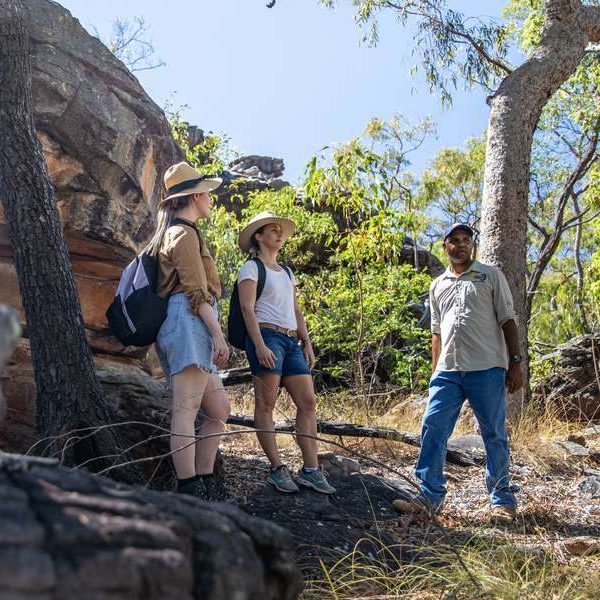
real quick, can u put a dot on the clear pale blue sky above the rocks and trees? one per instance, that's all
(286, 81)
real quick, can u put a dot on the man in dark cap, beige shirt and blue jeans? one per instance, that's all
(475, 356)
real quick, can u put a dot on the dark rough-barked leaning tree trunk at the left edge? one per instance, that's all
(68, 393)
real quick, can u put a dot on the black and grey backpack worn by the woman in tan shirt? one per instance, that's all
(137, 311)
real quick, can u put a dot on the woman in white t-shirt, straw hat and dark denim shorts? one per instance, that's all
(278, 349)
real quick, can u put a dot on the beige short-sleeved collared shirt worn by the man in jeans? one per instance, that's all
(468, 312)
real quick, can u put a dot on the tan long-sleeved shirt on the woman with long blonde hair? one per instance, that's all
(185, 265)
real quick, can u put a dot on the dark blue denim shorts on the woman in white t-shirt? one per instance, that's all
(289, 358)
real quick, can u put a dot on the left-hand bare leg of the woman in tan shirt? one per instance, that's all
(188, 389)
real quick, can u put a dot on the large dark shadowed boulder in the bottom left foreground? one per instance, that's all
(68, 534)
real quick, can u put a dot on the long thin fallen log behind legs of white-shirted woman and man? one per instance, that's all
(455, 455)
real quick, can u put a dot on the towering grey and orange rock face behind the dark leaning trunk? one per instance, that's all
(106, 144)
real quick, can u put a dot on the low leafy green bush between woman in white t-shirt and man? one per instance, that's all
(367, 318)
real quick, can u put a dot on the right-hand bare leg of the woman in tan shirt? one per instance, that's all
(215, 409)
